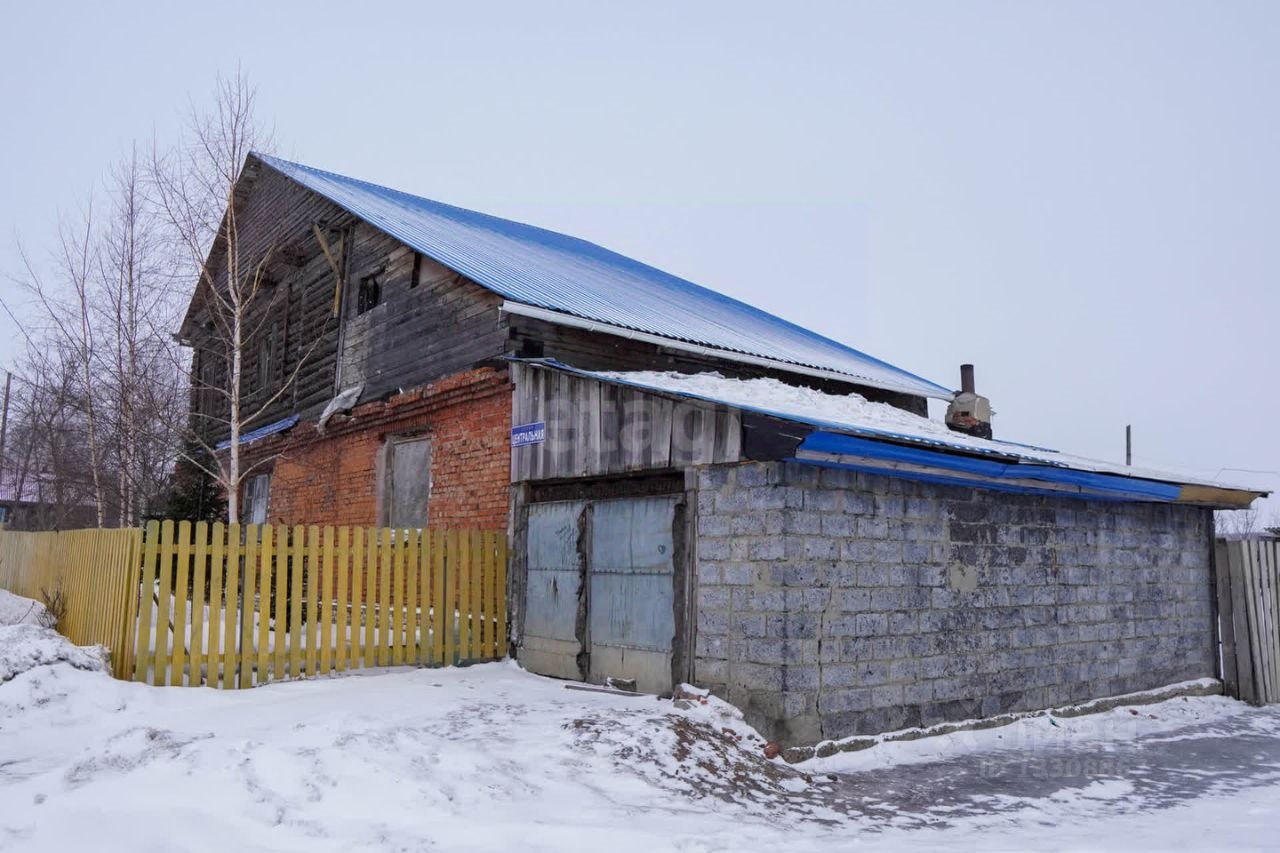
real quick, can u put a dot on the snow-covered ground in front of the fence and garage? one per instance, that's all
(493, 759)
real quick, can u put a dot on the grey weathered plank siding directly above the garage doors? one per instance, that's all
(596, 428)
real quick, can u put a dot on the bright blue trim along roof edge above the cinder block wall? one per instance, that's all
(1116, 487)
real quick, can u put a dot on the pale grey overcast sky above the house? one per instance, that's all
(1082, 199)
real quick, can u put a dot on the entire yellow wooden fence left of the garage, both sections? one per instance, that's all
(237, 606)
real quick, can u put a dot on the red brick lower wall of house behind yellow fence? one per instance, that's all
(333, 478)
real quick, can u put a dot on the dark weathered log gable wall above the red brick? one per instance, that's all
(429, 322)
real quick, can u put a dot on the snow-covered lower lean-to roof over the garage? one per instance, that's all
(856, 414)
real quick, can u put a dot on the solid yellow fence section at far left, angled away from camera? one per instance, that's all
(93, 573)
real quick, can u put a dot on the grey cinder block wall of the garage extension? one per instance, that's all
(831, 604)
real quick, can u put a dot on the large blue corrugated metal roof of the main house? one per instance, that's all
(545, 270)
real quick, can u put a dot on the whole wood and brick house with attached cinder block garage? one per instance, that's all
(697, 490)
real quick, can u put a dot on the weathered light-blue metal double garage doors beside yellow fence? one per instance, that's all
(624, 624)
